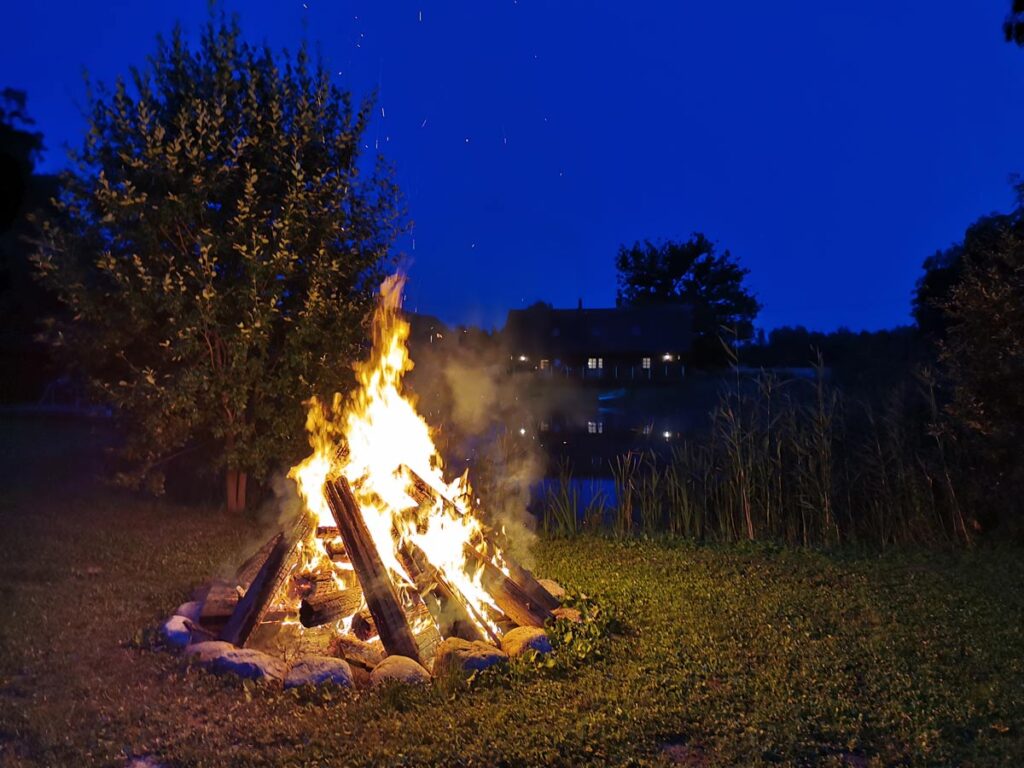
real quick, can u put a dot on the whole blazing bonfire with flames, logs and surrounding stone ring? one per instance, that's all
(388, 560)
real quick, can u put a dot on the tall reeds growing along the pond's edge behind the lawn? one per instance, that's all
(792, 461)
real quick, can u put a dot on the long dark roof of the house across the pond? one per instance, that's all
(560, 333)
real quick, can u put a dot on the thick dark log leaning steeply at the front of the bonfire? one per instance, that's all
(382, 601)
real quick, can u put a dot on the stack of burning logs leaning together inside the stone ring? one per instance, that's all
(365, 592)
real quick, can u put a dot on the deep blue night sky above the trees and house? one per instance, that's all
(831, 147)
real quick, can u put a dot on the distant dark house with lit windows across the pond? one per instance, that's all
(622, 345)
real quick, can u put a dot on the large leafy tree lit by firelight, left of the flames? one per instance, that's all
(219, 244)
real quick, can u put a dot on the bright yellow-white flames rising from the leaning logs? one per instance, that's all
(370, 441)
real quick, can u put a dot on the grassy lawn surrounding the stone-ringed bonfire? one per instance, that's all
(729, 656)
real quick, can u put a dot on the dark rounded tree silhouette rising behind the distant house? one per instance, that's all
(693, 274)
